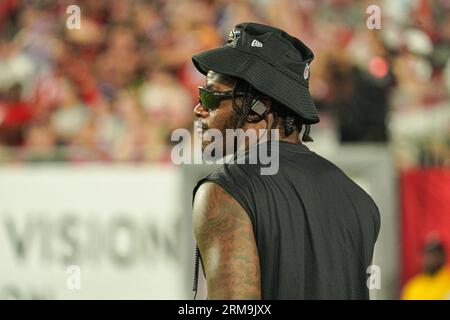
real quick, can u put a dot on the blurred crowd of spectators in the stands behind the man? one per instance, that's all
(115, 89)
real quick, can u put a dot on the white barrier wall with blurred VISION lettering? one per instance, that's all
(91, 232)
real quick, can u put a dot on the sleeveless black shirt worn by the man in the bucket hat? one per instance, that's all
(314, 227)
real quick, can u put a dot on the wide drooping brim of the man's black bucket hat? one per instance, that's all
(262, 75)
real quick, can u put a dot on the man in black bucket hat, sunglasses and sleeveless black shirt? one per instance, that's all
(306, 232)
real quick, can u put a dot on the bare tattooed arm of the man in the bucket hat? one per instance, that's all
(224, 234)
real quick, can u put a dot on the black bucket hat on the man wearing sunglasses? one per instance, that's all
(269, 59)
